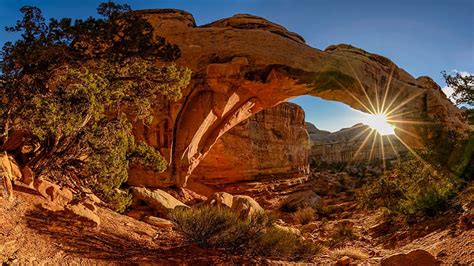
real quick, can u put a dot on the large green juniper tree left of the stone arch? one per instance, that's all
(77, 87)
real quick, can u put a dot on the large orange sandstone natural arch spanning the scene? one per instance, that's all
(244, 64)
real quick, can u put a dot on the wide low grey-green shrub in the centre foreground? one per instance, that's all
(220, 227)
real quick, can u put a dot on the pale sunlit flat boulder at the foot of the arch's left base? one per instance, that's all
(157, 199)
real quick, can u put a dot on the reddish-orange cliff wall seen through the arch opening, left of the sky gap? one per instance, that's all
(269, 147)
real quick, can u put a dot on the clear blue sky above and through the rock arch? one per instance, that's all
(424, 37)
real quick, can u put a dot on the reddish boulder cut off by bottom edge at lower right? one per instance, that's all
(416, 257)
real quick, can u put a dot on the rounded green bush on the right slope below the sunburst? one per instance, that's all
(414, 190)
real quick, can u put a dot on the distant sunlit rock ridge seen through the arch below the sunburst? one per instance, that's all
(350, 144)
